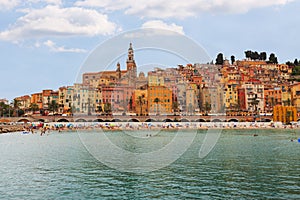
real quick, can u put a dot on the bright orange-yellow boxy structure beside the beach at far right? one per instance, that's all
(285, 114)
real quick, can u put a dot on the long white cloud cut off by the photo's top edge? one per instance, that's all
(180, 9)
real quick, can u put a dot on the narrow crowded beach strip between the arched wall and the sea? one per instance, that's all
(144, 126)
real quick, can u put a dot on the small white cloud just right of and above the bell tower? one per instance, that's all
(162, 25)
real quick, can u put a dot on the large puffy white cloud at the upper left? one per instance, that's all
(58, 22)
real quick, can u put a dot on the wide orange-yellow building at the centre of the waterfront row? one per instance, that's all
(159, 100)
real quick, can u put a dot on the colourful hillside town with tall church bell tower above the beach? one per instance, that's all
(250, 87)
